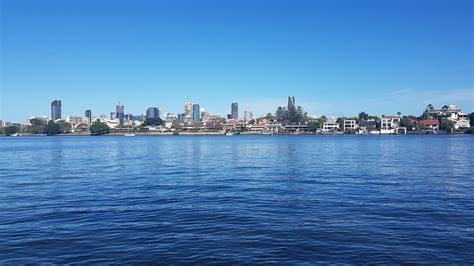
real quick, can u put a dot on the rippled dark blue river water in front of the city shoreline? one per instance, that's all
(239, 199)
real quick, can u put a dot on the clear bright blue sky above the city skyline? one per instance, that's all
(336, 57)
